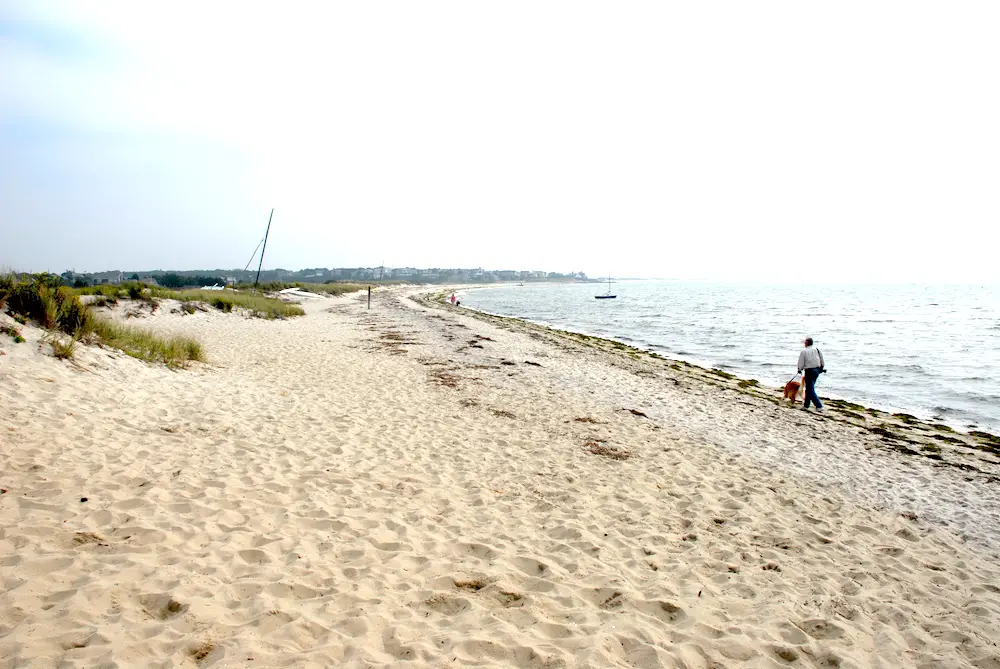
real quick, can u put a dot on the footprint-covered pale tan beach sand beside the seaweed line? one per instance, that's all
(415, 486)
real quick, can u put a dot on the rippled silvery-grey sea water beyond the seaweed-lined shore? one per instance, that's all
(929, 350)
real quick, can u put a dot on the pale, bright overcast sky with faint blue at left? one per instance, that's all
(753, 141)
